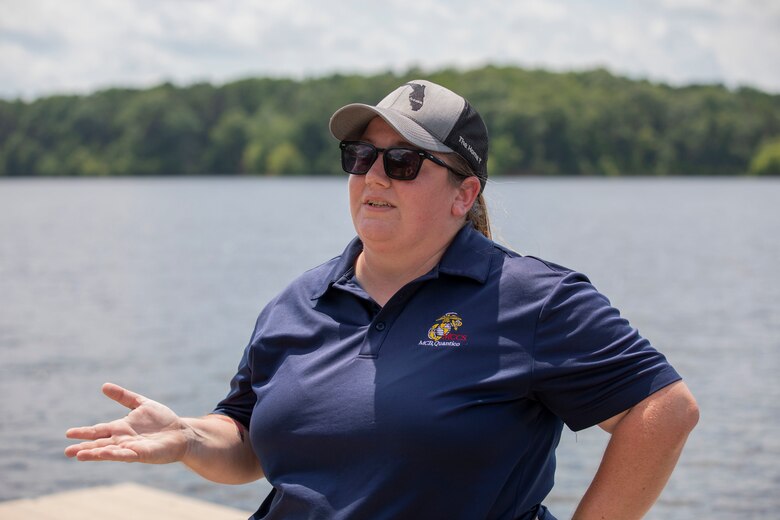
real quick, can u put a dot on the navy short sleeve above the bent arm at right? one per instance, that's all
(589, 363)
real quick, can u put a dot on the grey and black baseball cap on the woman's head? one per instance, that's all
(427, 115)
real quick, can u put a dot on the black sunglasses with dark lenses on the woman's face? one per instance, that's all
(400, 163)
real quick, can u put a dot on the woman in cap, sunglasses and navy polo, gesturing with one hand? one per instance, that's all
(426, 372)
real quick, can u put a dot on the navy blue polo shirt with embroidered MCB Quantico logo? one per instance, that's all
(448, 402)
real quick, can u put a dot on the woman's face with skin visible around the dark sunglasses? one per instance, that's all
(391, 214)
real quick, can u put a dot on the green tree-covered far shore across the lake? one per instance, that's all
(540, 123)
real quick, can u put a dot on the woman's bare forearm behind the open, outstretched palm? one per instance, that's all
(219, 450)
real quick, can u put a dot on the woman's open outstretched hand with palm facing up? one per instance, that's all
(150, 433)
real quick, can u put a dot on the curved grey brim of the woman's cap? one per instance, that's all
(350, 121)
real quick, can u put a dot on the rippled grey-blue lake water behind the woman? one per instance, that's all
(155, 284)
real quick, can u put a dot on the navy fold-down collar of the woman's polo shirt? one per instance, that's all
(469, 255)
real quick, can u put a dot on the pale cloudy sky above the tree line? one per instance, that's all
(79, 46)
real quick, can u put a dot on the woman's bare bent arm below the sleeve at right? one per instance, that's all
(645, 446)
